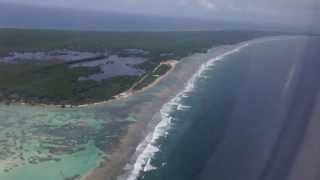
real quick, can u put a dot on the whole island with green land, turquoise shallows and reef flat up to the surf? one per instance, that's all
(79, 103)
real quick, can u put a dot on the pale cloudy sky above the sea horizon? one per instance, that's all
(291, 11)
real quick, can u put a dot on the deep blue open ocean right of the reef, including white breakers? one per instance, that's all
(231, 122)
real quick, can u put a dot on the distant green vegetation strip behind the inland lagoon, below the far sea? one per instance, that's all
(178, 43)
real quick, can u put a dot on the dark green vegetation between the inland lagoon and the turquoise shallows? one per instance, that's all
(56, 84)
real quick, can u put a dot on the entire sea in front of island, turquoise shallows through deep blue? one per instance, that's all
(245, 115)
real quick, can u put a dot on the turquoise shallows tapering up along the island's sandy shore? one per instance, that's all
(28, 133)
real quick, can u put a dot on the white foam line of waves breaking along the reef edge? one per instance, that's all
(149, 147)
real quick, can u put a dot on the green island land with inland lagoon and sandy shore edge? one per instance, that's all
(72, 68)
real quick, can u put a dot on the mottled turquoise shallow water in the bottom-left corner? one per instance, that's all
(24, 134)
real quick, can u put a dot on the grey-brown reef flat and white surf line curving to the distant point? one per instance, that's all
(137, 147)
